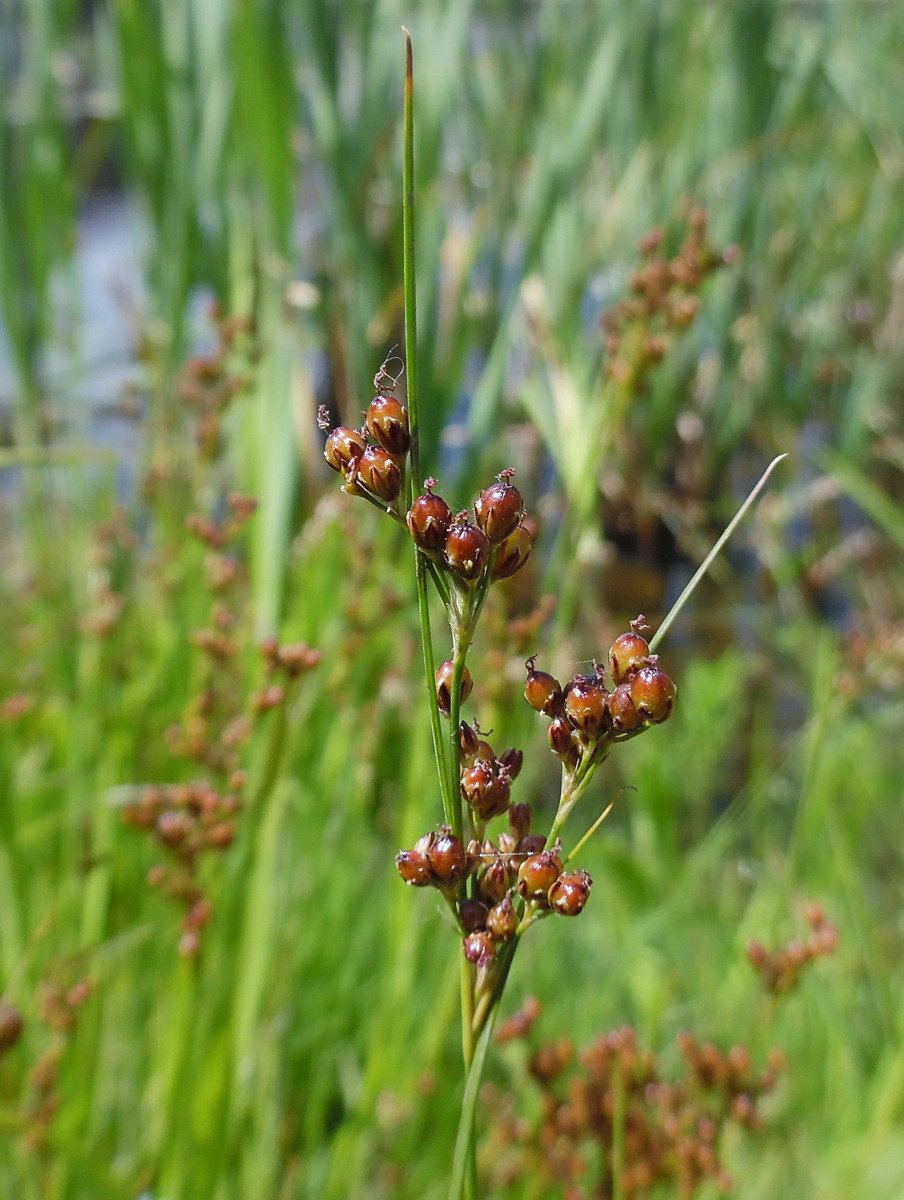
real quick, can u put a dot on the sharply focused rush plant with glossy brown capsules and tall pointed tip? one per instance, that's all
(498, 874)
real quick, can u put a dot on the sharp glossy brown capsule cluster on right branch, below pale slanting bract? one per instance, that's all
(586, 717)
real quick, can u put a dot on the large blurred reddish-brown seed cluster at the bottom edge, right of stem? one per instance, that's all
(614, 1094)
